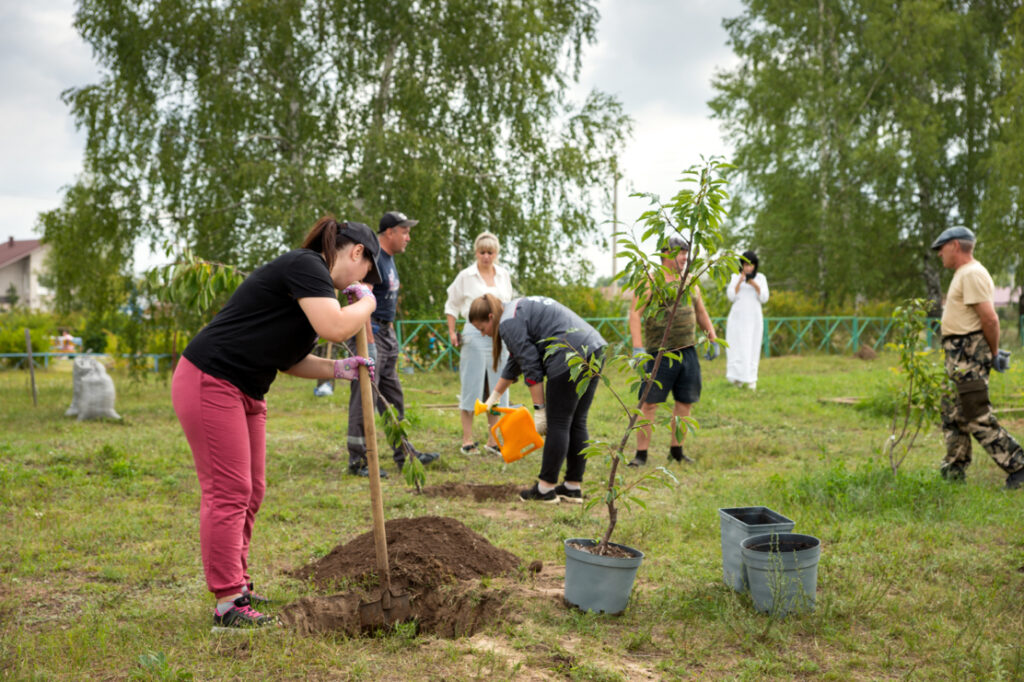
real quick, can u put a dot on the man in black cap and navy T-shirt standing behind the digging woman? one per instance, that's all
(394, 235)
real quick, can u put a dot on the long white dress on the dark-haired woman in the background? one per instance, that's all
(745, 329)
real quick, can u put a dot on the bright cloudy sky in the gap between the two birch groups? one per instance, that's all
(659, 57)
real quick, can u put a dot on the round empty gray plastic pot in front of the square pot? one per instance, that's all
(783, 571)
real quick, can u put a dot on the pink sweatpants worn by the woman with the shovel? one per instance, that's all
(227, 432)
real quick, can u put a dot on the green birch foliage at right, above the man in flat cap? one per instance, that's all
(864, 130)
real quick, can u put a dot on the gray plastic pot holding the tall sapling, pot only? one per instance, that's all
(600, 584)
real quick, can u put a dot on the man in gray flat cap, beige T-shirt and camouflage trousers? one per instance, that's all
(971, 343)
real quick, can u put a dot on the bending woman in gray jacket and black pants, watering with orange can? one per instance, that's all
(527, 326)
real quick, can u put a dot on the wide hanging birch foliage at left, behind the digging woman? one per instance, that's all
(228, 127)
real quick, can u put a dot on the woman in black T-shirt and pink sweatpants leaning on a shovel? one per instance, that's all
(270, 324)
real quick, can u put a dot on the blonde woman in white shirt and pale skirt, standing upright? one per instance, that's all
(476, 364)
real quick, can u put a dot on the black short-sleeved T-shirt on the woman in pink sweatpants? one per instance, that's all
(263, 329)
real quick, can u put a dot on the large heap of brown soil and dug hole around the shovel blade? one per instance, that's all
(438, 561)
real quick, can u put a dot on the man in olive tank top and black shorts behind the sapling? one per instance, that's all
(648, 321)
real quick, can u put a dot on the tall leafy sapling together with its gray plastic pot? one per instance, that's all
(600, 574)
